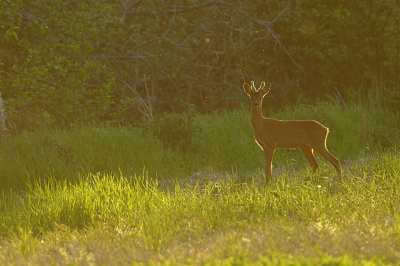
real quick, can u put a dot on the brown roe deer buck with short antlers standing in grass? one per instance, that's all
(308, 135)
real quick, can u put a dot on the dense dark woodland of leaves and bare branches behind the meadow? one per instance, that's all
(71, 62)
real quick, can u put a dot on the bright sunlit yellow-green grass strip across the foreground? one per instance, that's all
(112, 220)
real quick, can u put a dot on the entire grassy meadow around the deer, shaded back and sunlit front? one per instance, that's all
(189, 189)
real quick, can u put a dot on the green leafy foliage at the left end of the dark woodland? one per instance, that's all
(55, 82)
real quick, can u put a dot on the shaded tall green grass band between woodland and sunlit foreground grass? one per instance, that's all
(222, 141)
